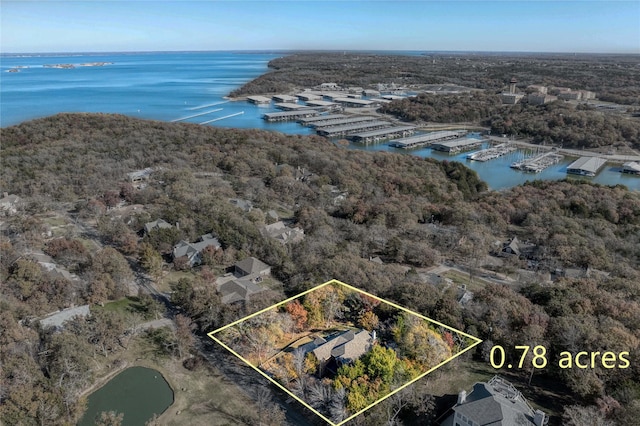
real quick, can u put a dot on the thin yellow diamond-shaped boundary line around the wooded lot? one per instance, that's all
(211, 335)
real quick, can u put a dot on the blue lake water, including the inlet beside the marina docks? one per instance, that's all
(173, 86)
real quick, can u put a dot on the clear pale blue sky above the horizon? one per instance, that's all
(527, 26)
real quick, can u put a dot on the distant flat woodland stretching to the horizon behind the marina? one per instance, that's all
(614, 77)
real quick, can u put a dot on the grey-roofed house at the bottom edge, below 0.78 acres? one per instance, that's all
(495, 403)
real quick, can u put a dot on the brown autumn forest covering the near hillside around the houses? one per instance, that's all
(411, 212)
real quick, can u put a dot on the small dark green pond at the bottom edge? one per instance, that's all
(137, 392)
